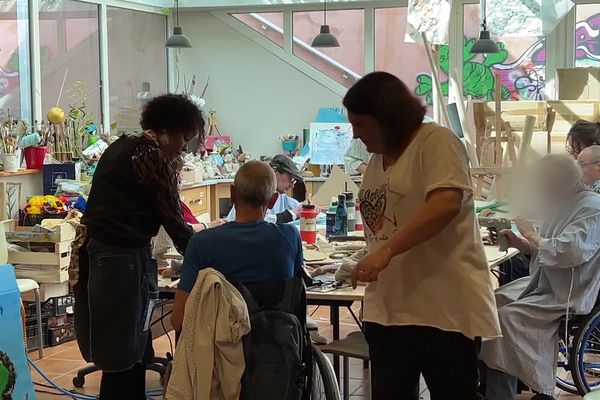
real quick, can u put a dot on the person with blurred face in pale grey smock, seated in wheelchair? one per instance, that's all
(564, 278)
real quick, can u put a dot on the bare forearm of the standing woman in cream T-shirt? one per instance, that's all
(433, 218)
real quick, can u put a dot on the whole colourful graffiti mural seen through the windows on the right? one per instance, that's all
(523, 79)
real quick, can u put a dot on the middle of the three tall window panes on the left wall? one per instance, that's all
(69, 45)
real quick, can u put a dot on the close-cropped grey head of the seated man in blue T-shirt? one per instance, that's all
(255, 184)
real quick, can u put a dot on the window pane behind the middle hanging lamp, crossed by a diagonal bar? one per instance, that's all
(345, 64)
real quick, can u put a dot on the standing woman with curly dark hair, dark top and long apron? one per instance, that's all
(134, 192)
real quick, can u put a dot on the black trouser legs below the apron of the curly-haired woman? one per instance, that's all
(129, 384)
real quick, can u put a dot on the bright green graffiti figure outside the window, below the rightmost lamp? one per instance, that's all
(478, 77)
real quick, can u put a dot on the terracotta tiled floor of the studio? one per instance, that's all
(62, 362)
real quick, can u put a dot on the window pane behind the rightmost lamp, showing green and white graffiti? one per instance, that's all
(521, 67)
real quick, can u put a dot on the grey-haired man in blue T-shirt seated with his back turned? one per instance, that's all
(249, 249)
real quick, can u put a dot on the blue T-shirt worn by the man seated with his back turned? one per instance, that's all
(253, 252)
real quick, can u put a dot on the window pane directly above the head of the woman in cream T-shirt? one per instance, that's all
(391, 52)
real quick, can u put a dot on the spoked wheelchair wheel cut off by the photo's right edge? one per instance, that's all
(586, 354)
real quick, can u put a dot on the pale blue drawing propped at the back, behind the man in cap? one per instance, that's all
(329, 142)
